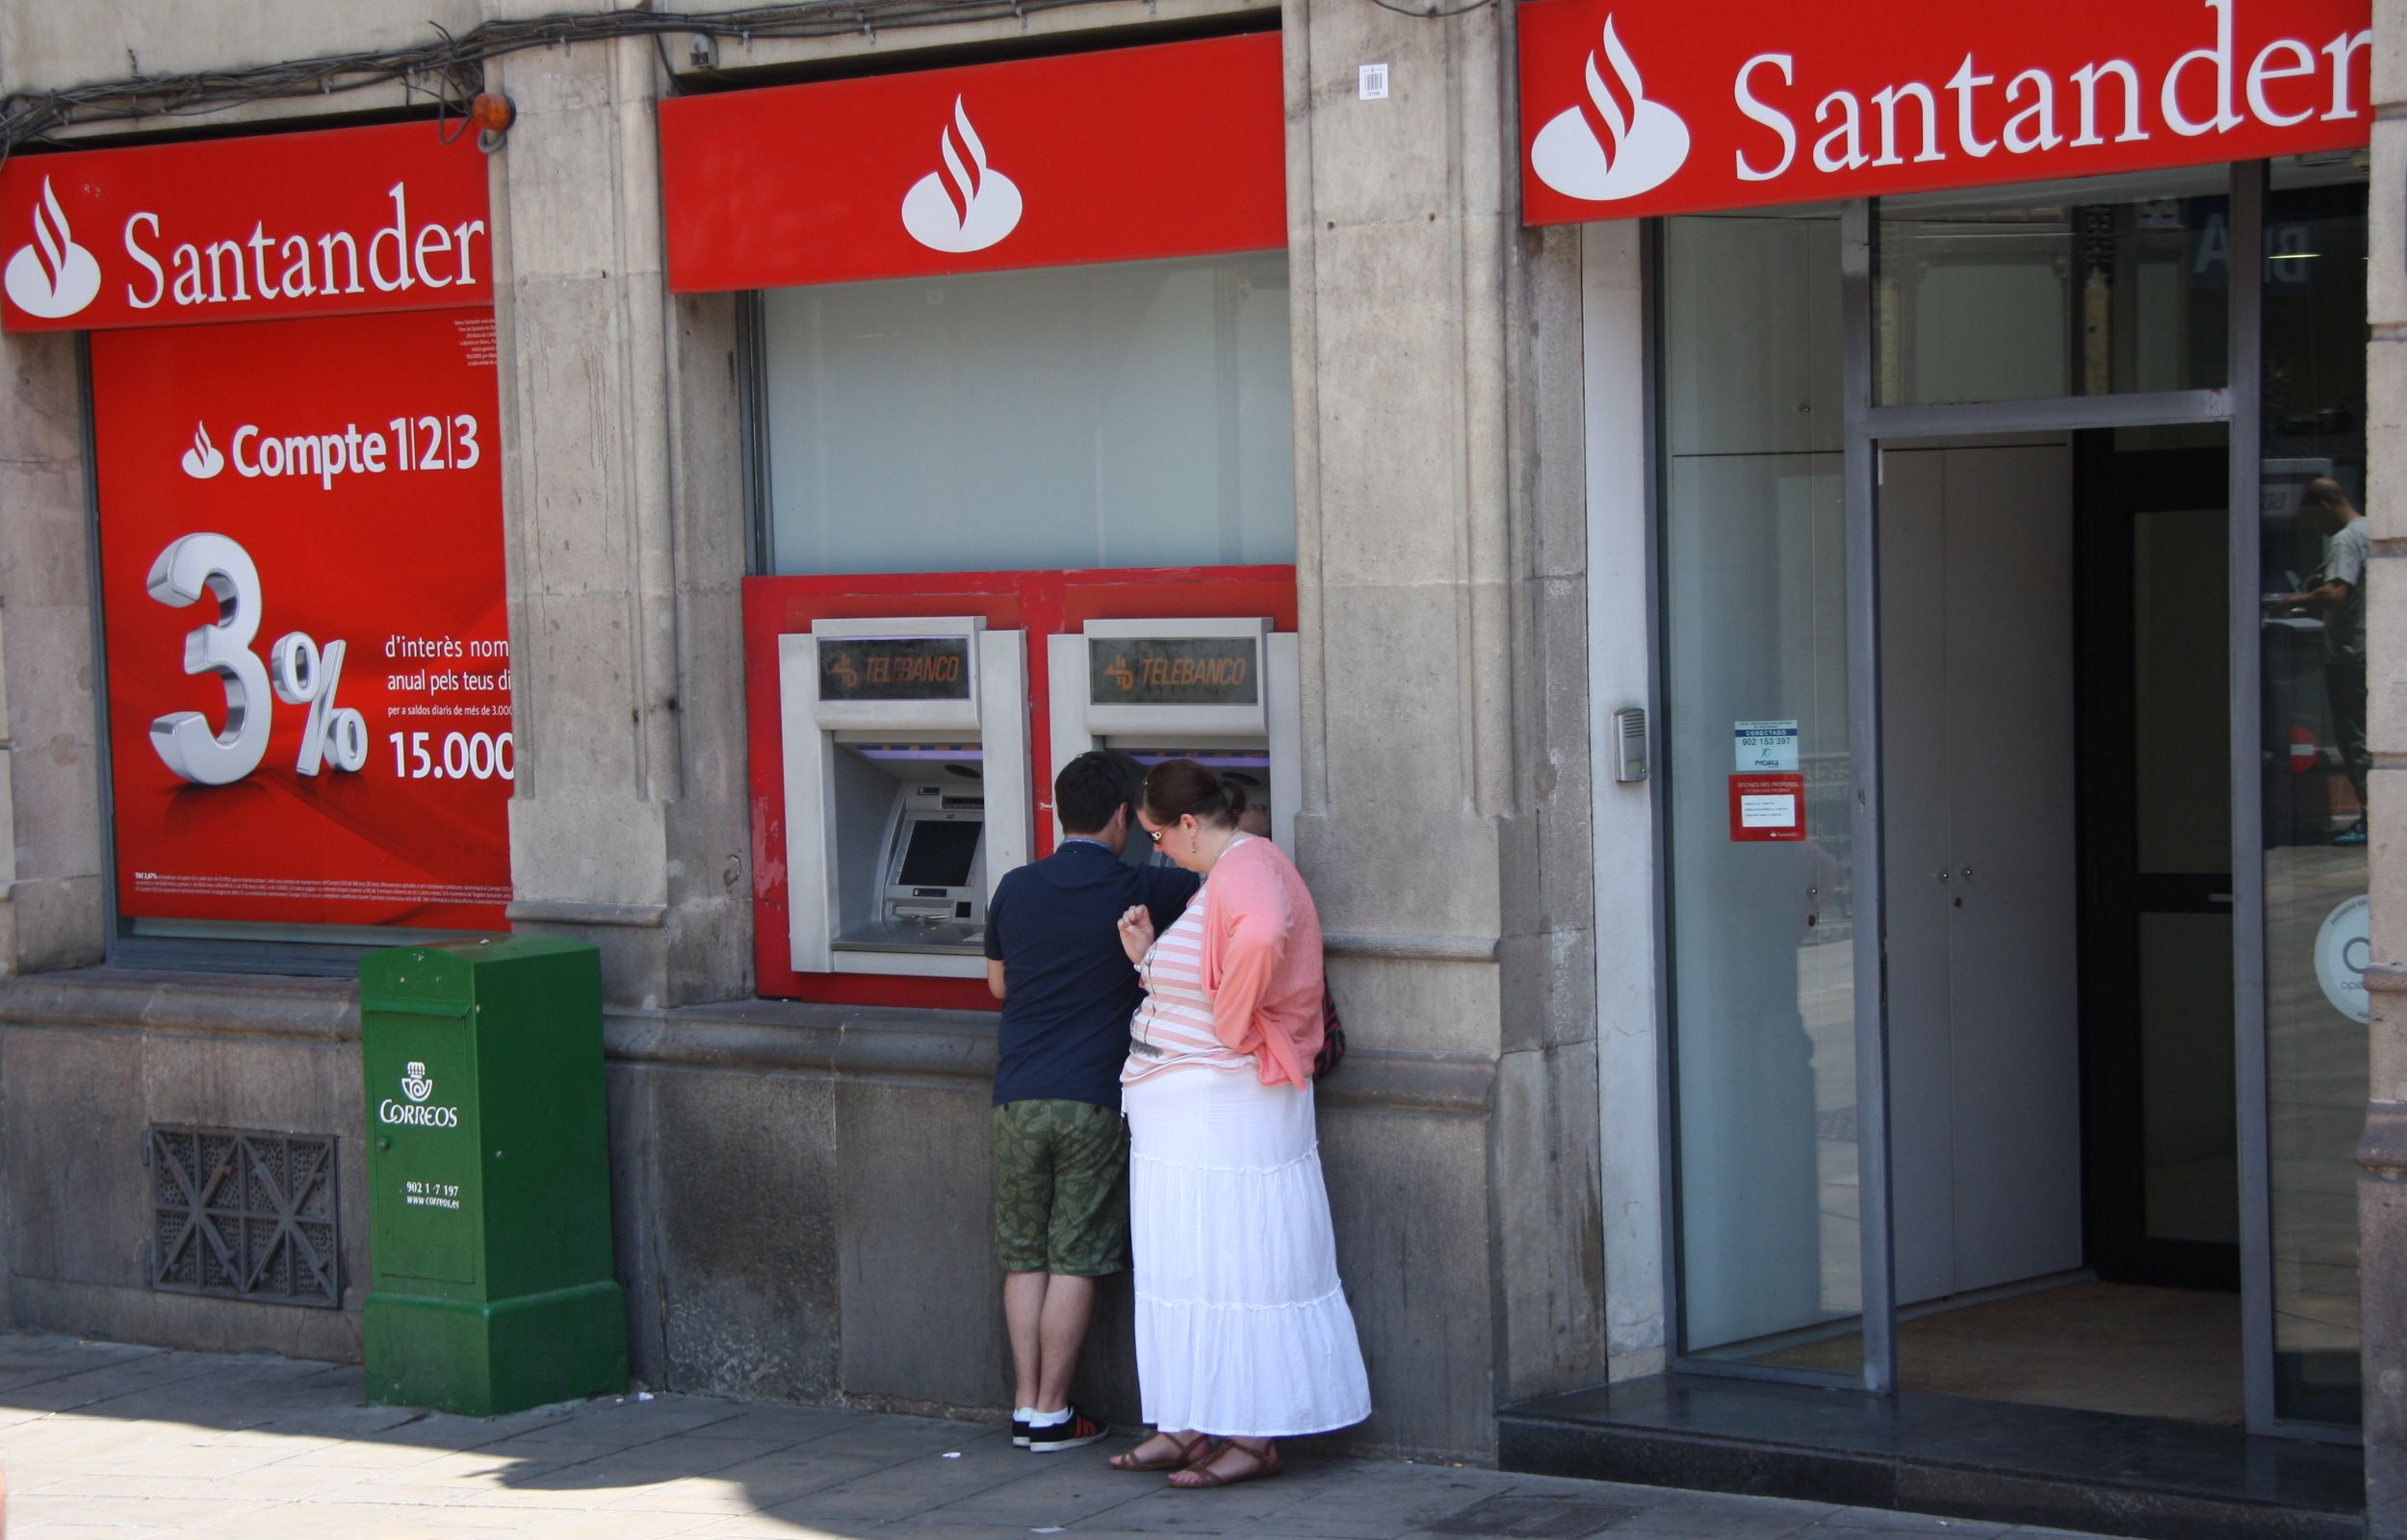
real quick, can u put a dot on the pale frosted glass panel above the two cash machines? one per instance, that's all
(1072, 417)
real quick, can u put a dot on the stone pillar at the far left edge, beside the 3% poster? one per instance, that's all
(49, 728)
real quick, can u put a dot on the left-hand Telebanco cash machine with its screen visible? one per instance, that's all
(906, 790)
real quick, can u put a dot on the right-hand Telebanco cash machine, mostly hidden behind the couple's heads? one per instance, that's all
(1219, 692)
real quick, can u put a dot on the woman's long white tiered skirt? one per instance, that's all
(1241, 1317)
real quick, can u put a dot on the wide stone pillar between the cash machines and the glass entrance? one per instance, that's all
(1445, 692)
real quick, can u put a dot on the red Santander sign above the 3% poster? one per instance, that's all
(338, 223)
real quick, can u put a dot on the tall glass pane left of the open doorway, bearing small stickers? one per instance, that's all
(1756, 632)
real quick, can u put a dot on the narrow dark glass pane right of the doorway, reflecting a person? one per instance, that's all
(2314, 776)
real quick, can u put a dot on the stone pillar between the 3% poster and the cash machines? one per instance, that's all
(596, 430)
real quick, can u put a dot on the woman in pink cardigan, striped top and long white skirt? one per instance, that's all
(1243, 1334)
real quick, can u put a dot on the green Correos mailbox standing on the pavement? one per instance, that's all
(487, 1178)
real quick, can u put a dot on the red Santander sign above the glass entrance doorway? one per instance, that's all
(1645, 107)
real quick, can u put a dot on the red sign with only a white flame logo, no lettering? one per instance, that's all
(1089, 158)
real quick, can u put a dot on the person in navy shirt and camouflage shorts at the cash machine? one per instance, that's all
(1060, 1147)
